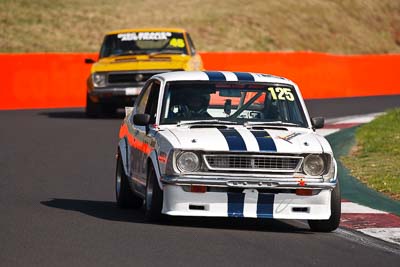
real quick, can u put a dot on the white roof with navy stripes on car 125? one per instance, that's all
(221, 76)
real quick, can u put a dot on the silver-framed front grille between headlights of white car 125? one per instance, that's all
(253, 162)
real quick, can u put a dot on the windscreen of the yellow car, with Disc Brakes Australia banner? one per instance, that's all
(131, 43)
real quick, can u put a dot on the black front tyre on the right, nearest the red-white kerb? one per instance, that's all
(333, 222)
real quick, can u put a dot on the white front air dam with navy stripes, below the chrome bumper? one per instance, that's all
(249, 203)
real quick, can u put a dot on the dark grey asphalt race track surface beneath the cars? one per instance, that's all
(57, 206)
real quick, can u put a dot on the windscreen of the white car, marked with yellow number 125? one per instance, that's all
(239, 102)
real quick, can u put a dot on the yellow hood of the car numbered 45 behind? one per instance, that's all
(141, 62)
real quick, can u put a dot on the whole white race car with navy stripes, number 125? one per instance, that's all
(226, 144)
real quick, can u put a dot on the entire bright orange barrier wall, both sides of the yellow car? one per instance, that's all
(59, 80)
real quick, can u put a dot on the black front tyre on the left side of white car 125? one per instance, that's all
(154, 198)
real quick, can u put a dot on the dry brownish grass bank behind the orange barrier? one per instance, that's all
(335, 26)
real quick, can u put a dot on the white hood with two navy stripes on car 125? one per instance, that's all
(242, 139)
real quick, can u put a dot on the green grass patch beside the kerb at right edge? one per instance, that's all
(375, 159)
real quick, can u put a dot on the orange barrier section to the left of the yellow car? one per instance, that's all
(43, 80)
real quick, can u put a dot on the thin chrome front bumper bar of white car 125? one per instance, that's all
(262, 183)
